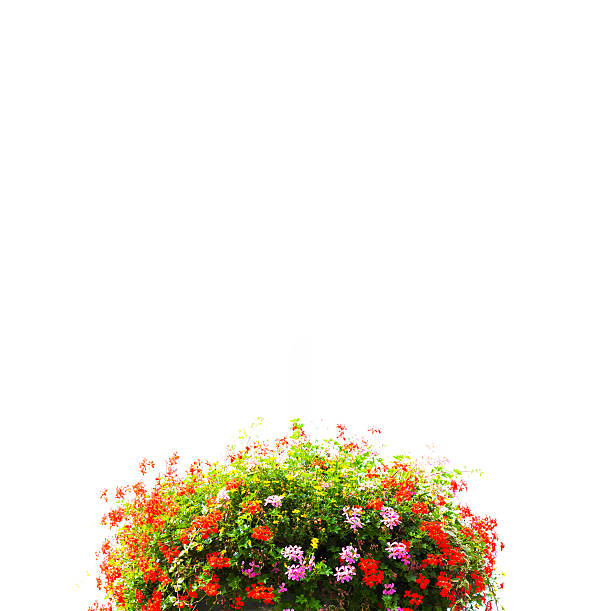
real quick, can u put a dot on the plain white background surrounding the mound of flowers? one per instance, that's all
(385, 213)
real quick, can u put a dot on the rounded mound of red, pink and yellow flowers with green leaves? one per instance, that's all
(298, 524)
